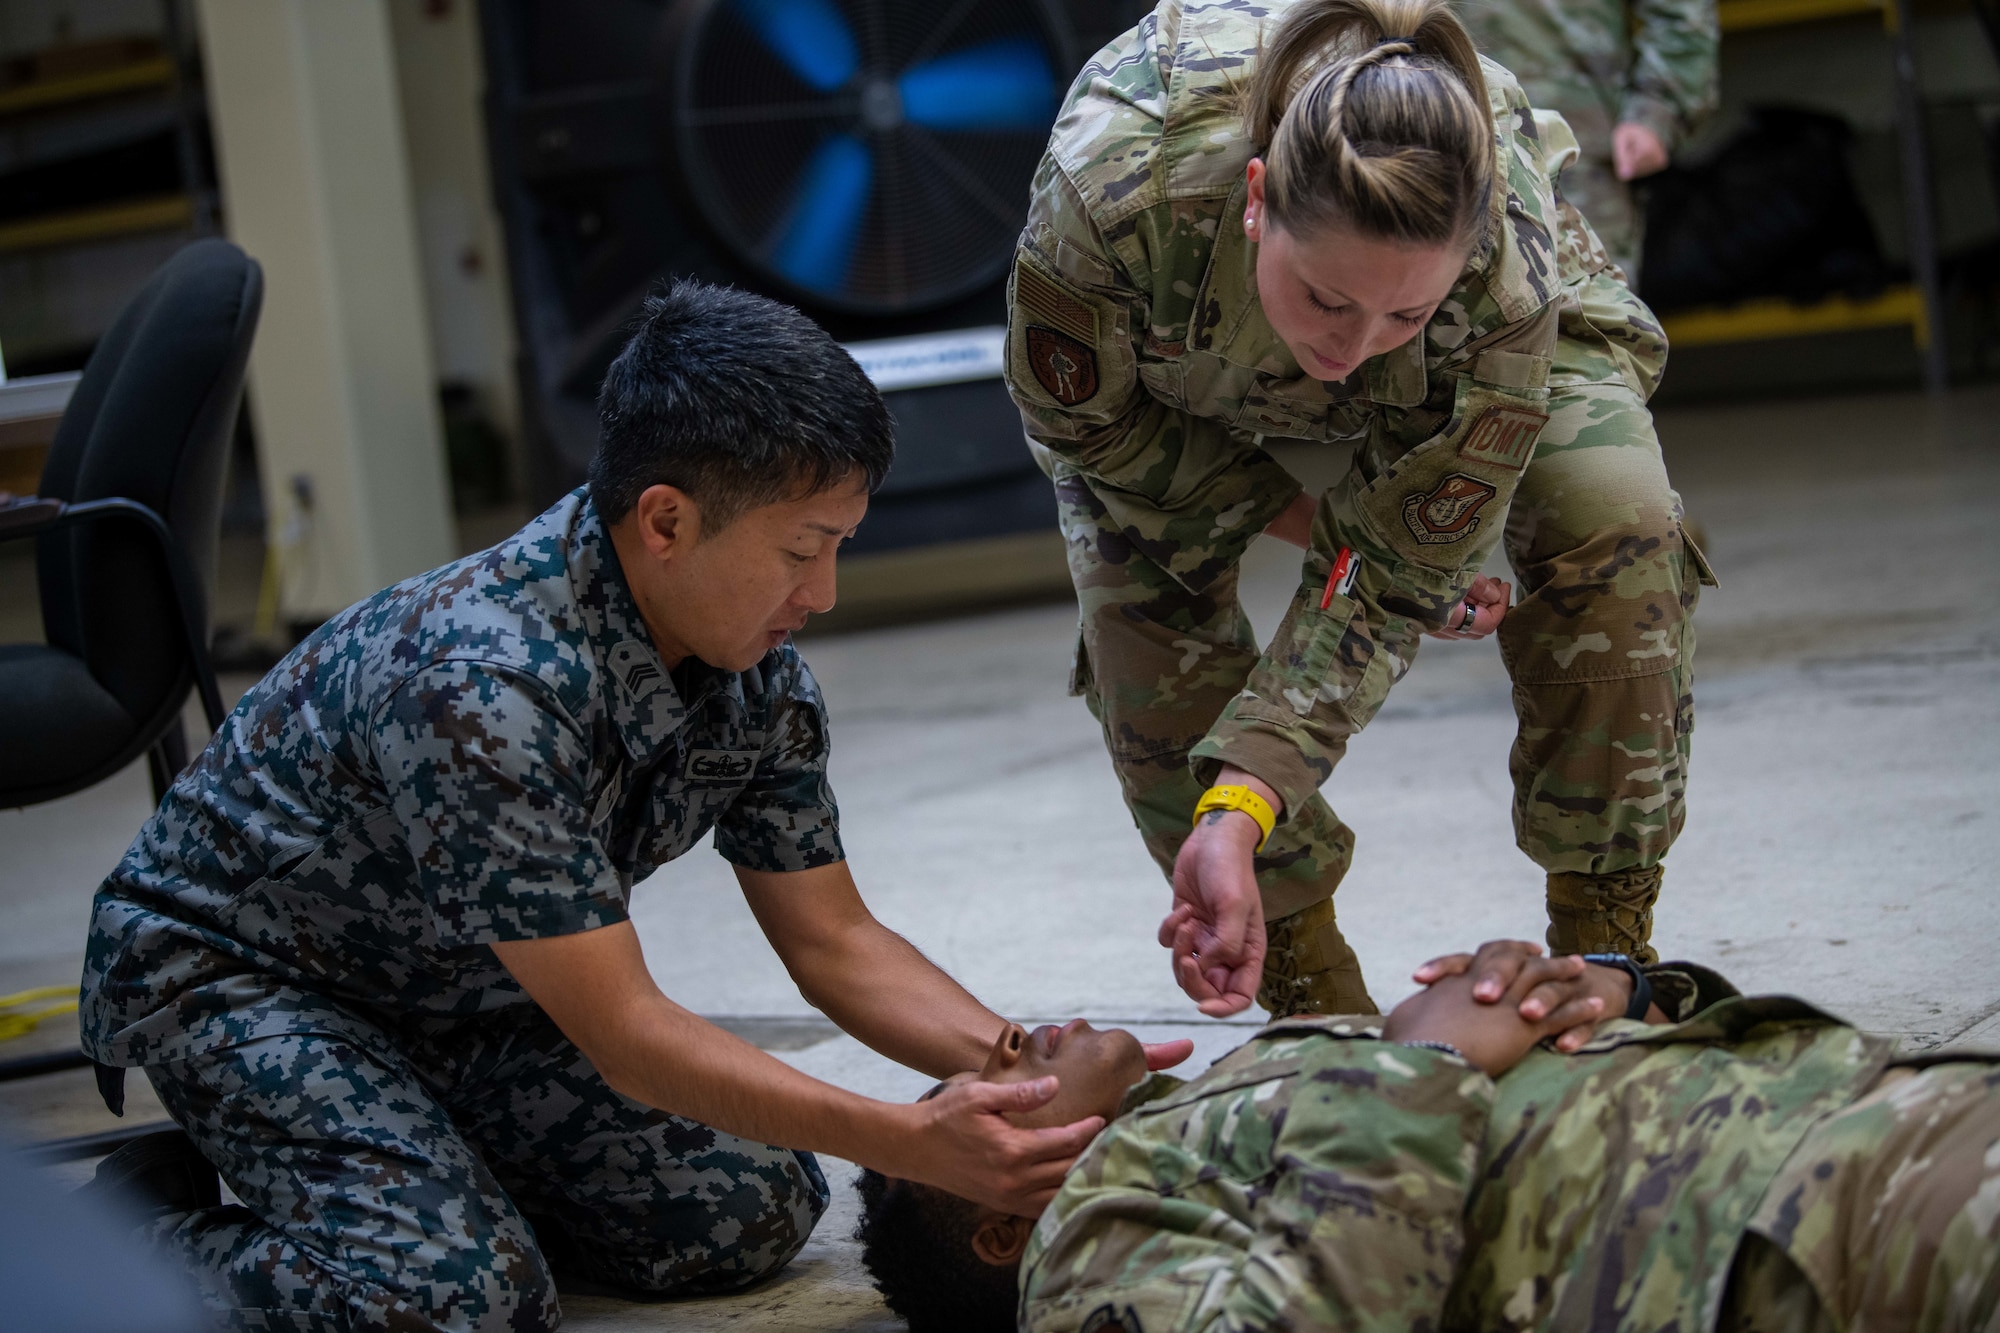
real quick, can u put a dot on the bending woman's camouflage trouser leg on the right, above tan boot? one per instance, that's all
(1601, 643)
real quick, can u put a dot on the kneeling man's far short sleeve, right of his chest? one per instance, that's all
(785, 820)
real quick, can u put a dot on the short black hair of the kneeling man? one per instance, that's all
(739, 401)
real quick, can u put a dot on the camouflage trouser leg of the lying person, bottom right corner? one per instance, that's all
(1887, 1216)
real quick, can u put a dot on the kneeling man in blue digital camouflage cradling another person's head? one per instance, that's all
(375, 950)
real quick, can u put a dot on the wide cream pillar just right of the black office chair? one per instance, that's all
(317, 189)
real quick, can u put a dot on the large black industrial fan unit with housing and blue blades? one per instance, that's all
(867, 161)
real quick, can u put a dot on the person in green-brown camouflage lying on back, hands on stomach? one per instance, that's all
(1733, 1164)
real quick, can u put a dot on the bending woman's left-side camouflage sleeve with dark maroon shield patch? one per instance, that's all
(1187, 489)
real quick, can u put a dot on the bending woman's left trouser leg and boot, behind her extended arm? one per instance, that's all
(1157, 665)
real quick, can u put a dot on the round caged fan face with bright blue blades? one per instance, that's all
(875, 157)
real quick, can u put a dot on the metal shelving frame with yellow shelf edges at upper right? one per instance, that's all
(1915, 305)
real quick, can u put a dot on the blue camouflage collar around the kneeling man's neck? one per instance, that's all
(643, 702)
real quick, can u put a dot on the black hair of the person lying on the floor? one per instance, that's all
(917, 1246)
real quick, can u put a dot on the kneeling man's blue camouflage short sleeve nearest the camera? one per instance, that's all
(491, 782)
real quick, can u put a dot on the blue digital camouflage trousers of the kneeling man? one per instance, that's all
(391, 1184)
